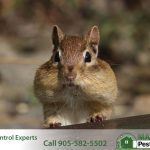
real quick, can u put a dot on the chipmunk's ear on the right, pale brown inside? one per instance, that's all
(93, 36)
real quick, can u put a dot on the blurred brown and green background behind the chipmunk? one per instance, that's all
(25, 43)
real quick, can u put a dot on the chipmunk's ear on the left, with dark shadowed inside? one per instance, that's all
(57, 35)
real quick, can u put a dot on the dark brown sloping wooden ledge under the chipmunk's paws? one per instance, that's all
(135, 122)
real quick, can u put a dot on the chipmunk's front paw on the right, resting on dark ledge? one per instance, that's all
(97, 118)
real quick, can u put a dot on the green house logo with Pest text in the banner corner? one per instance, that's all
(129, 142)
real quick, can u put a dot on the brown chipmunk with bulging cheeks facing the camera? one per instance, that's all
(75, 86)
